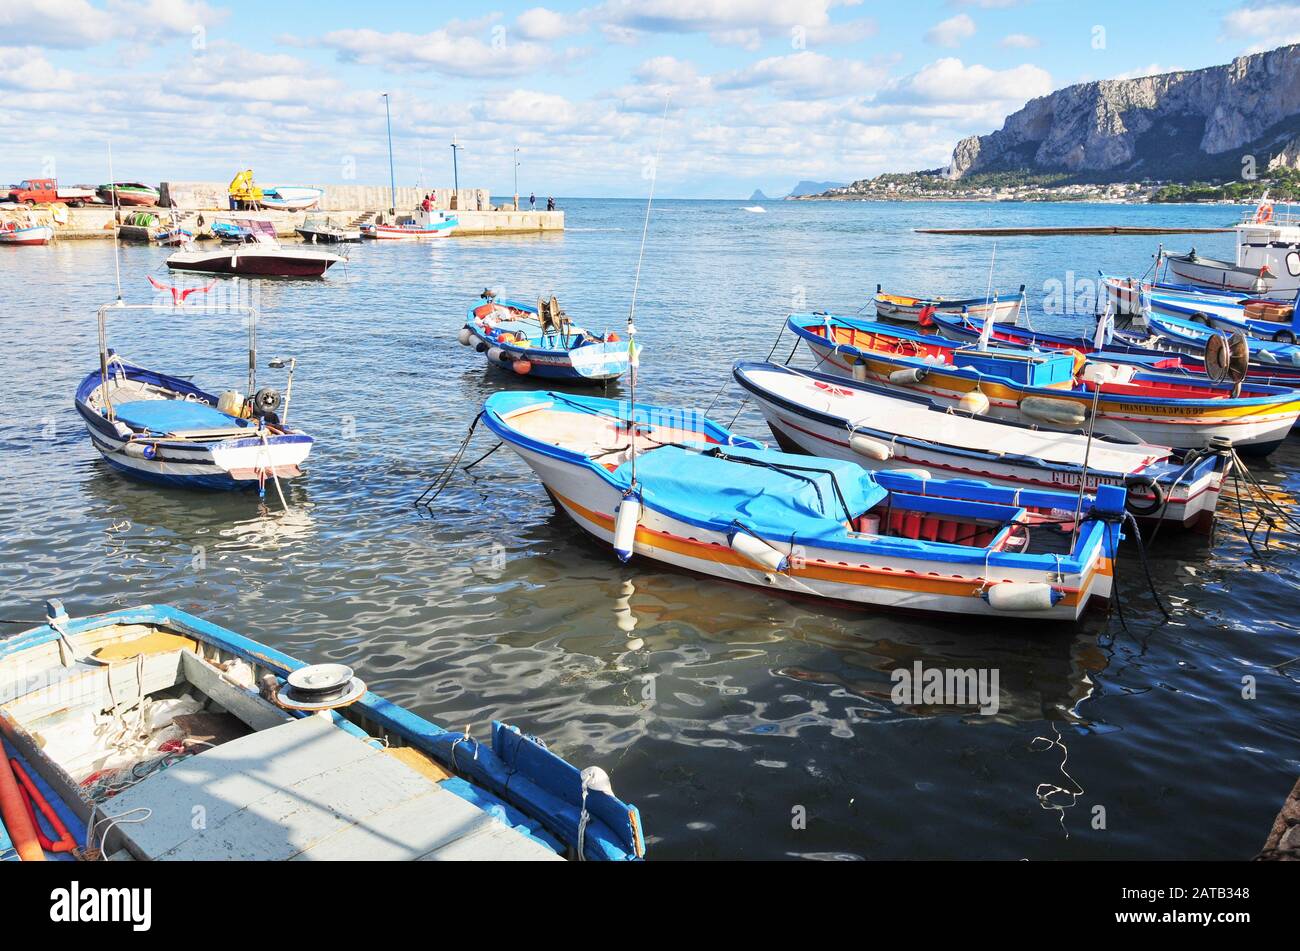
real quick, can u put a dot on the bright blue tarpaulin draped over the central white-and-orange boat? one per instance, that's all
(800, 500)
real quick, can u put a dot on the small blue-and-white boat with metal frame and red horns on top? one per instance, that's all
(164, 429)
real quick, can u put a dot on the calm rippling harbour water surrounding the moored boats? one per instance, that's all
(726, 713)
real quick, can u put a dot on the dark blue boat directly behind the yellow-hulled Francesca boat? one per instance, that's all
(1171, 346)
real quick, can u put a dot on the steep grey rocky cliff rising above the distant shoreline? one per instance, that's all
(1172, 127)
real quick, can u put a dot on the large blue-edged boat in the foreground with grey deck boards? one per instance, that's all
(120, 729)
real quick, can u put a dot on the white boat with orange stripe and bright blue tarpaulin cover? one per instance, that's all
(670, 487)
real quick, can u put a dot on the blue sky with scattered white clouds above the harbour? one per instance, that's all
(764, 93)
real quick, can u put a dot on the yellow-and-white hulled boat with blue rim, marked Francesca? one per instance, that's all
(1056, 390)
